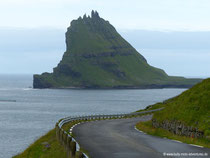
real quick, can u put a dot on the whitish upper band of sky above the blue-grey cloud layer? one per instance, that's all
(123, 14)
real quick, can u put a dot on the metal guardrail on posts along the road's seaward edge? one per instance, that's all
(71, 145)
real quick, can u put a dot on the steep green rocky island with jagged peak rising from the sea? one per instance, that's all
(98, 57)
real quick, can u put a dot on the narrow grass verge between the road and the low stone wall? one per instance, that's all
(149, 129)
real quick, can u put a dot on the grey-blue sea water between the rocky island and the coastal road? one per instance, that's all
(26, 113)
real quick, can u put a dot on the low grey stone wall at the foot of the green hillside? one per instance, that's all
(178, 128)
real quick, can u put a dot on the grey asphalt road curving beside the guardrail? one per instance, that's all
(119, 139)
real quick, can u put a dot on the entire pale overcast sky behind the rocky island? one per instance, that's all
(171, 34)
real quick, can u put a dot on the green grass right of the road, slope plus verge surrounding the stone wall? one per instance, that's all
(191, 108)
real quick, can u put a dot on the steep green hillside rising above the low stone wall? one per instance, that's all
(190, 109)
